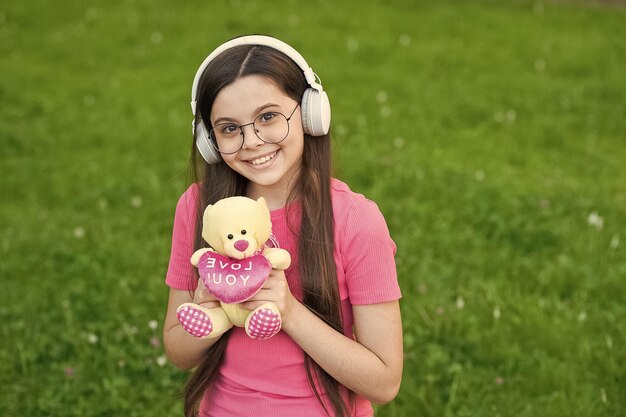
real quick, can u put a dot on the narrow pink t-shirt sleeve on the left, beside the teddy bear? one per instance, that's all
(180, 272)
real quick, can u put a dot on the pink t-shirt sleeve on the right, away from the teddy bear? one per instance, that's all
(369, 264)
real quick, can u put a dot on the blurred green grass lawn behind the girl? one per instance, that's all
(491, 134)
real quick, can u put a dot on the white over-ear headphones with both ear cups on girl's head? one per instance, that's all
(315, 105)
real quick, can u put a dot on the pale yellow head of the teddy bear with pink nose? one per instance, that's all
(237, 227)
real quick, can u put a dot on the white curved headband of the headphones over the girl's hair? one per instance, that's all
(262, 40)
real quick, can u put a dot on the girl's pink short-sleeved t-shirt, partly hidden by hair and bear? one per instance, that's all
(268, 377)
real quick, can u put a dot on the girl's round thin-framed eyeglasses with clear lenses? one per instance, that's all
(270, 127)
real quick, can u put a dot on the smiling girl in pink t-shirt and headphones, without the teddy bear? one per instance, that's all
(261, 129)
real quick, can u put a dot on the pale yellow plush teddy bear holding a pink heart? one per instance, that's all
(234, 269)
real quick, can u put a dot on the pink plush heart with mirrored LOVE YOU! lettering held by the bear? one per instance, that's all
(232, 280)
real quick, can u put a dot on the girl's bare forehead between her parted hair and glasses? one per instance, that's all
(246, 94)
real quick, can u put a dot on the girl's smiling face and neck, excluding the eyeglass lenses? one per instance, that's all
(270, 167)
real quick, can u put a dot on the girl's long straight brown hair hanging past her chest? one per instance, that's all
(311, 186)
